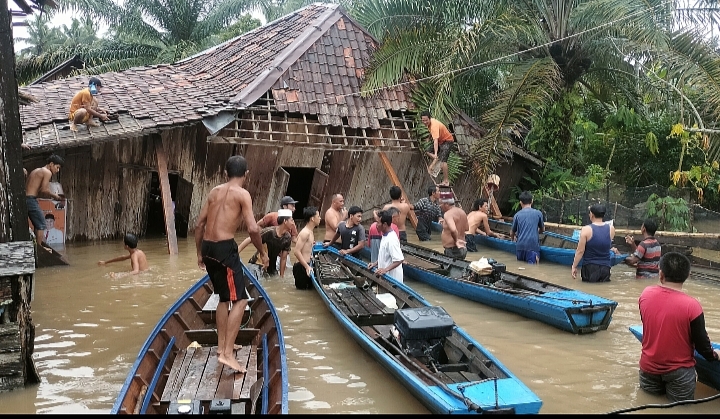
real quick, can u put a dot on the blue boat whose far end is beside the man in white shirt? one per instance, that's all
(567, 309)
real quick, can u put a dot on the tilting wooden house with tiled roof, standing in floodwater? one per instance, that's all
(285, 96)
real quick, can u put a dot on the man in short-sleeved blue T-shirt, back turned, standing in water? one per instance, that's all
(527, 225)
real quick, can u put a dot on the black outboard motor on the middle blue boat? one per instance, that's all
(421, 331)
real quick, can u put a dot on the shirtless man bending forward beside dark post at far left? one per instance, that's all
(37, 184)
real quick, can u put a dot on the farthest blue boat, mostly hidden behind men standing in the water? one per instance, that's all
(554, 247)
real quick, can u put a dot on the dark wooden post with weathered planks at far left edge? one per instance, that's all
(17, 257)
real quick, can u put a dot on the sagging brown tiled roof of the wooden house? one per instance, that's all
(318, 52)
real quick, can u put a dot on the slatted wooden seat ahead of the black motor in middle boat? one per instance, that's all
(362, 306)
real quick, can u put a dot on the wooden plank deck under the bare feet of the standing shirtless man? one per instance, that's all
(196, 374)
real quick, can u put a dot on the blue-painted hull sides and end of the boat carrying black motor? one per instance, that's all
(511, 392)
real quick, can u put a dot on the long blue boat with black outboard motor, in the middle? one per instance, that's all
(419, 344)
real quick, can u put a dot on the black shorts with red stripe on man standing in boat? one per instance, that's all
(225, 269)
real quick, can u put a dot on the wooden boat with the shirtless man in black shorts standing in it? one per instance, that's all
(177, 369)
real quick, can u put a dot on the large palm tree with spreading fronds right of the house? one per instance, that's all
(506, 61)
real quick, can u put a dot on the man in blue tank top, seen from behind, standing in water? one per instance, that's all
(594, 248)
